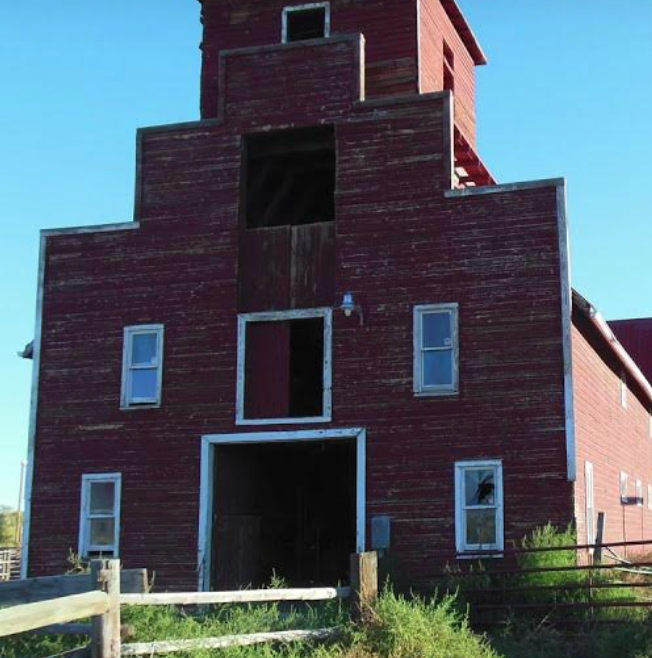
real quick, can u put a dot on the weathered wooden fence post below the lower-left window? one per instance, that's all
(105, 634)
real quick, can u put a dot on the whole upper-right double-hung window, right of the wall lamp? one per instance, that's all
(436, 349)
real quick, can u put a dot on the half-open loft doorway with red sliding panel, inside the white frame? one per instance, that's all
(284, 369)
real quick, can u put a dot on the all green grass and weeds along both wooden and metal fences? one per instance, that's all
(410, 627)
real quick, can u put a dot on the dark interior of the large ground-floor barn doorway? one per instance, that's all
(284, 509)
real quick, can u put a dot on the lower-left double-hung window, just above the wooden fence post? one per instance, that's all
(99, 527)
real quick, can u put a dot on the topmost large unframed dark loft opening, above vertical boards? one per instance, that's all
(289, 177)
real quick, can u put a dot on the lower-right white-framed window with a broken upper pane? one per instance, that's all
(479, 506)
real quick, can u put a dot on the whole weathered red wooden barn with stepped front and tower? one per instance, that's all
(327, 329)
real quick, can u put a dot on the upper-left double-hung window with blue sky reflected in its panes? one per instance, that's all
(142, 368)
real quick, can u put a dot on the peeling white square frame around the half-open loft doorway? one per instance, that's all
(283, 316)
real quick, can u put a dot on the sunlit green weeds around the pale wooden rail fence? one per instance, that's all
(400, 628)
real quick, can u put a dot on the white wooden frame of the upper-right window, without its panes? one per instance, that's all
(453, 309)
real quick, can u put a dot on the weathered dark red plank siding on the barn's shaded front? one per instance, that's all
(399, 241)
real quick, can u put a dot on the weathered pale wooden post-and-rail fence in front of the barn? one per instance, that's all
(101, 595)
